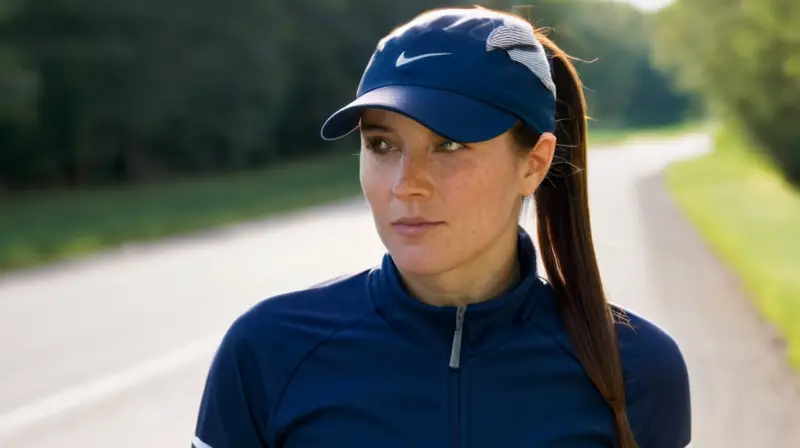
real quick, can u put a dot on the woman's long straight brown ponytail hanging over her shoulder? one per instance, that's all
(565, 240)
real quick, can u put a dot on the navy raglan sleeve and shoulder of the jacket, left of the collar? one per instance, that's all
(261, 351)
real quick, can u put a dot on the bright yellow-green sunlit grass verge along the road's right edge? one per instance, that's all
(751, 218)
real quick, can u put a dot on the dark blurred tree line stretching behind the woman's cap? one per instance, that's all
(98, 92)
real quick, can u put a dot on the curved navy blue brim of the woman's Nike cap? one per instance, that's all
(448, 114)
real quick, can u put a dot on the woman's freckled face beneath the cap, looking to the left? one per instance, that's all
(439, 204)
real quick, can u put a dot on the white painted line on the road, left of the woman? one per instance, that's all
(101, 388)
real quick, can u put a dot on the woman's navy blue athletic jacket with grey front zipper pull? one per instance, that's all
(358, 362)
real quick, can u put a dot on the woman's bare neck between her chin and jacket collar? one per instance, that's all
(489, 274)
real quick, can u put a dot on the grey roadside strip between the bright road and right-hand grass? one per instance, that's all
(744, 393)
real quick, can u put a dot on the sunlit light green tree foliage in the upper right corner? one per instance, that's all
(745, 58)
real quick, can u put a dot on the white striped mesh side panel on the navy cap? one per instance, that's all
(505, 37)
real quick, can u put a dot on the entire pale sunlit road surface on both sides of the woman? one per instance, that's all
(112, 350)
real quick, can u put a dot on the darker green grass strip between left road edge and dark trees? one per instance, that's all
(48, 227)
